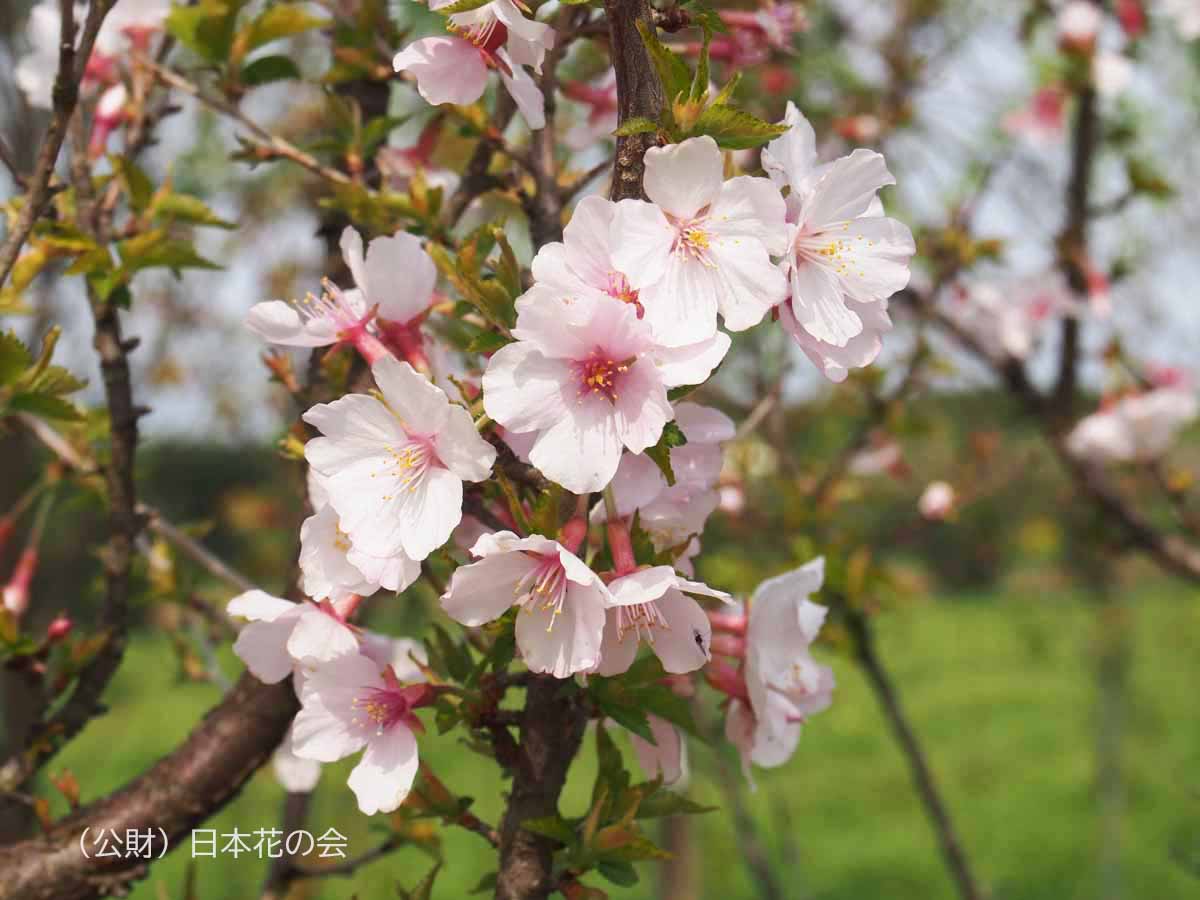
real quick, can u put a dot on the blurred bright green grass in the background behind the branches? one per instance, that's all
(1004, 694)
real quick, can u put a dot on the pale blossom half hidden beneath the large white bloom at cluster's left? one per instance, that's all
(333, 568)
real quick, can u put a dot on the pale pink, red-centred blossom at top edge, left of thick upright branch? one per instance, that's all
(496, 35)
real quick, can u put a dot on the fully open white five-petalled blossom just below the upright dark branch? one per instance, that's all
(703, 245)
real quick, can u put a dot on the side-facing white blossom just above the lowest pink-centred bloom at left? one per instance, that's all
(283, 635)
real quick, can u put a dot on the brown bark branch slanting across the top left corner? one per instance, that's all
(73, 62)
